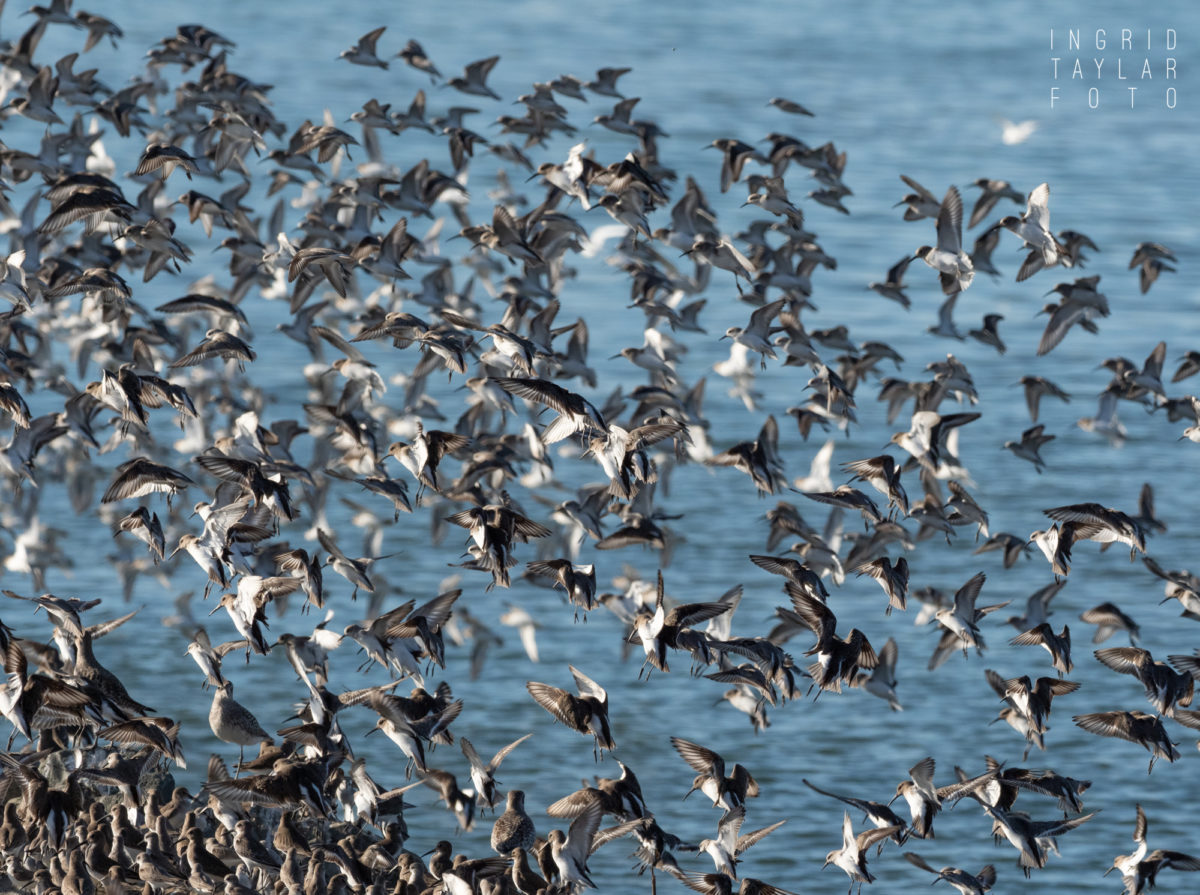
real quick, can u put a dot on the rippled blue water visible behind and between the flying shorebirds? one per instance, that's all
(913, 89)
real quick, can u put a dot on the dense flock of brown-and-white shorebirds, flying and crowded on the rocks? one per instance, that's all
(446, 380)
